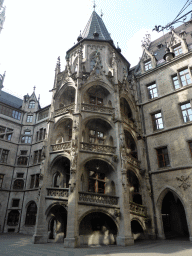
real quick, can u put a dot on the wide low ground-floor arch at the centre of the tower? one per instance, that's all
(97, 229)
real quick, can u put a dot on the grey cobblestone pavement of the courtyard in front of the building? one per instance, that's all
(19, 245)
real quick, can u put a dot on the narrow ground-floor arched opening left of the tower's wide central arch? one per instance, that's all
(57, 225)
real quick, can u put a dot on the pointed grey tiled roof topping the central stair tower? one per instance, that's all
(96, 24)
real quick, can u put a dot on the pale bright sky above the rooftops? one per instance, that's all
(36, 32)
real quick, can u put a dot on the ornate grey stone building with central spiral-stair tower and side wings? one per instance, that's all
(109, 161)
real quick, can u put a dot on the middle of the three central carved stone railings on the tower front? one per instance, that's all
(98, 148)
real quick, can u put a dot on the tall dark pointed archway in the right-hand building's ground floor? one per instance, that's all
(173, 217)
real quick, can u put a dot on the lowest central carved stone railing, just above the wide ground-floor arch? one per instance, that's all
(88, 197)
